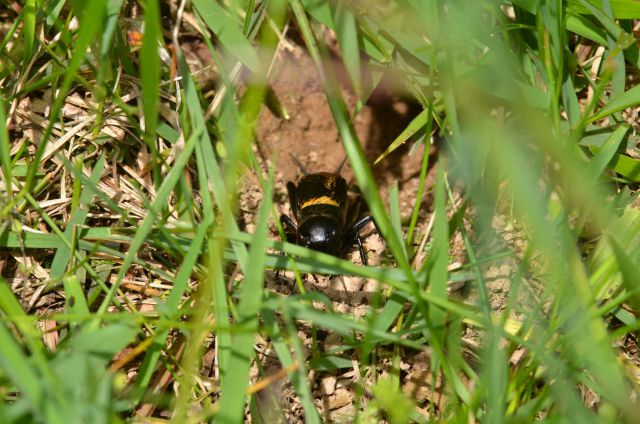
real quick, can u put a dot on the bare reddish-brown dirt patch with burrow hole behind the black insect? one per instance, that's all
(310, 135)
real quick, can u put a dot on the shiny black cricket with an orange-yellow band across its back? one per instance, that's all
(327, 219)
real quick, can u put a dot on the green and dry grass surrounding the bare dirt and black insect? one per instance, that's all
(535, 112)
